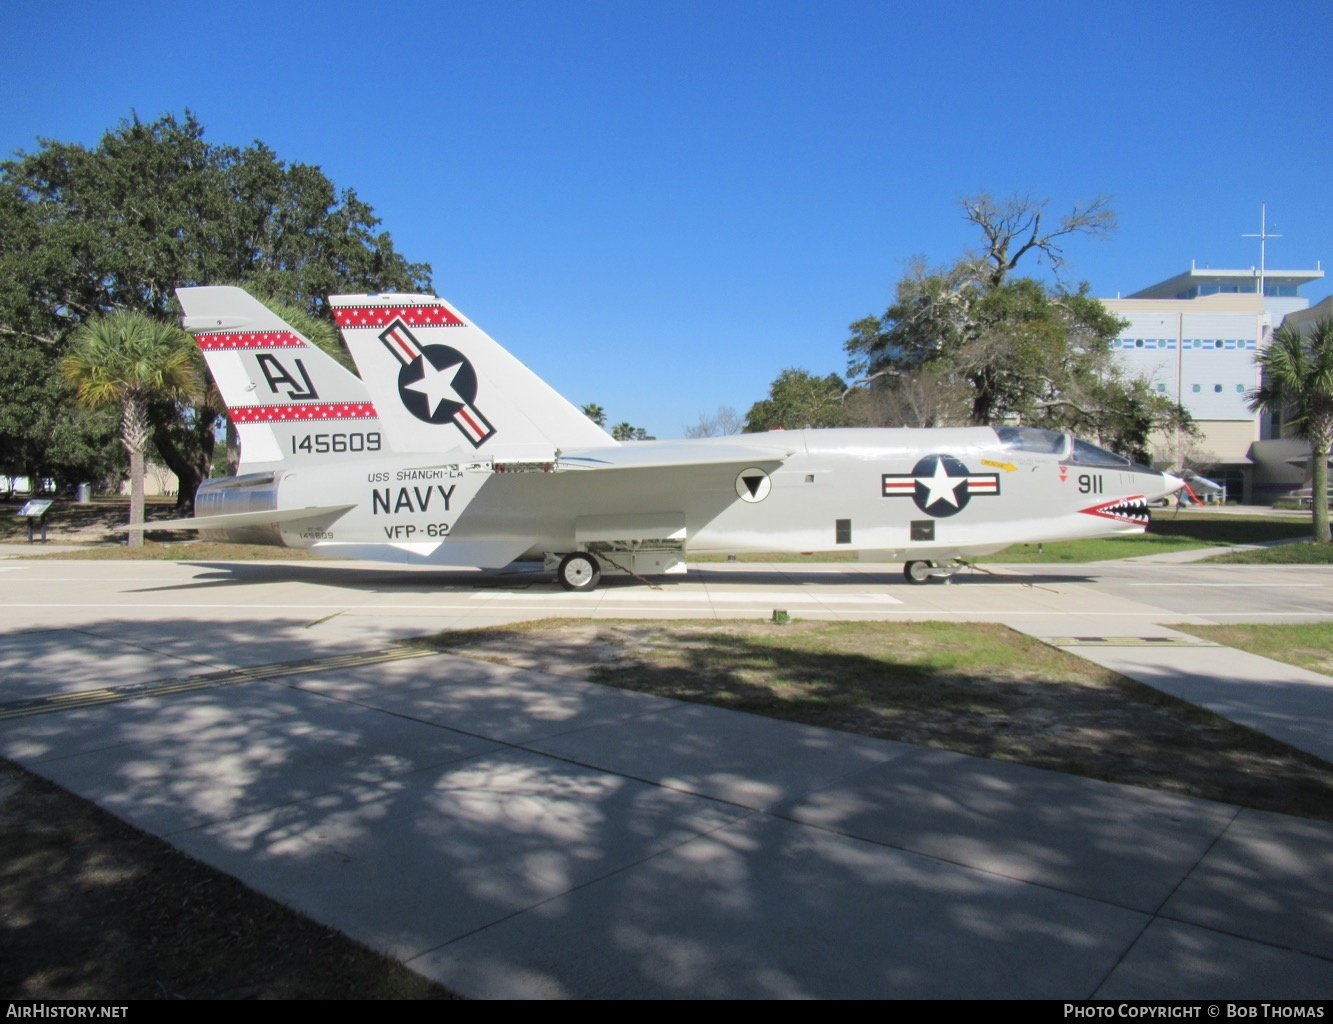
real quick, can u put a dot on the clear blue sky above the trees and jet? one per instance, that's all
(661, 206)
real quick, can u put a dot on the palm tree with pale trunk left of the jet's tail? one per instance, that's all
(130, 359)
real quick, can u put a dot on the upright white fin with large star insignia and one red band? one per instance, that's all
(442, 383)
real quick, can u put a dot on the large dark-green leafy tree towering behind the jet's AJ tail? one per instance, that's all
(155, 206)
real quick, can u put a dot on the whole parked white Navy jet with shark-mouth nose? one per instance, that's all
(450, 451)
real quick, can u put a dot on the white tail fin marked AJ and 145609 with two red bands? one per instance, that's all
(289, 401)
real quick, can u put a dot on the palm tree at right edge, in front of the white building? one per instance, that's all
(1299, 383)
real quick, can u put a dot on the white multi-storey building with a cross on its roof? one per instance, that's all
(1196, 338)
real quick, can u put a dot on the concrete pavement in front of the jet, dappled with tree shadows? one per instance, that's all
(518, 834)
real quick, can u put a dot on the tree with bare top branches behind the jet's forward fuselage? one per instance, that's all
(972, 343)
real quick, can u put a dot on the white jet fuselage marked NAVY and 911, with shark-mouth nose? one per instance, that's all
(898, 493)
